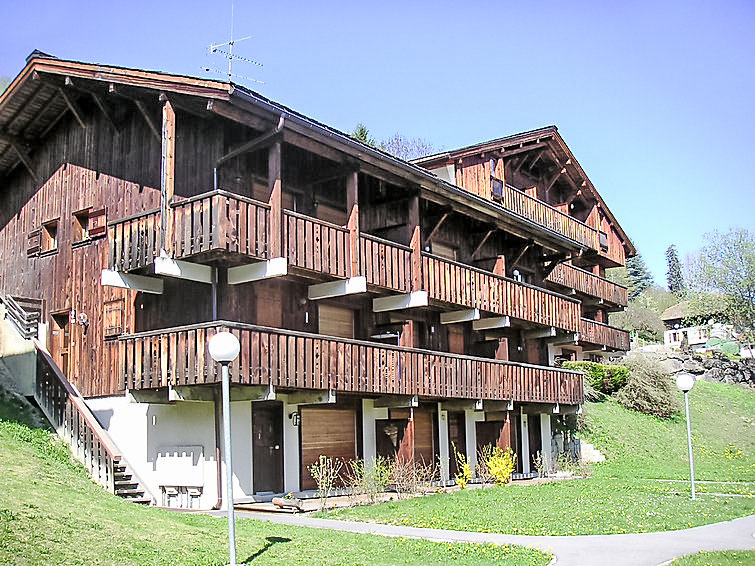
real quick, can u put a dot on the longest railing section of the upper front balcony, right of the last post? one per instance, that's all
(459, 284)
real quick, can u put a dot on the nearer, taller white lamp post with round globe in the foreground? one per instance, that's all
(224, 348)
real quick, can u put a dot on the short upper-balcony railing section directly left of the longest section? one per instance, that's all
(385, 264)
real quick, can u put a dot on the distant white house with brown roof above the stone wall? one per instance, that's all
(680, 333)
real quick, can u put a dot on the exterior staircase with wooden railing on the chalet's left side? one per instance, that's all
(74, 422)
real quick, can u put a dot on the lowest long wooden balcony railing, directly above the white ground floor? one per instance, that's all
(297, 360)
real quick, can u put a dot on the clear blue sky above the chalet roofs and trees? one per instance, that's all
(656, 99)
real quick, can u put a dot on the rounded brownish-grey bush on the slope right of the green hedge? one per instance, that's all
(649, 388)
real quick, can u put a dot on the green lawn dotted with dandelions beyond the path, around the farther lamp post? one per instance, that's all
(622, 496)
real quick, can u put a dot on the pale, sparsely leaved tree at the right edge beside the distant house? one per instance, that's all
(725, 267)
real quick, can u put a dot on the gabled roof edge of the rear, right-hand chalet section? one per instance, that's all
(547, 138)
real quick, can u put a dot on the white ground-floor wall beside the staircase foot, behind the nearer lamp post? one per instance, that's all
(141, 430)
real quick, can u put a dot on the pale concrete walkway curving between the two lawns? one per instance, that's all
(647, 549)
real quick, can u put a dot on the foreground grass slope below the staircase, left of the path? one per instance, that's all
(51, 513)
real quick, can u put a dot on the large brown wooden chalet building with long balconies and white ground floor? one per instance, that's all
(383, 307)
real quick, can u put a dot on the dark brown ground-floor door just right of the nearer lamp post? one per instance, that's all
(267, 446)
